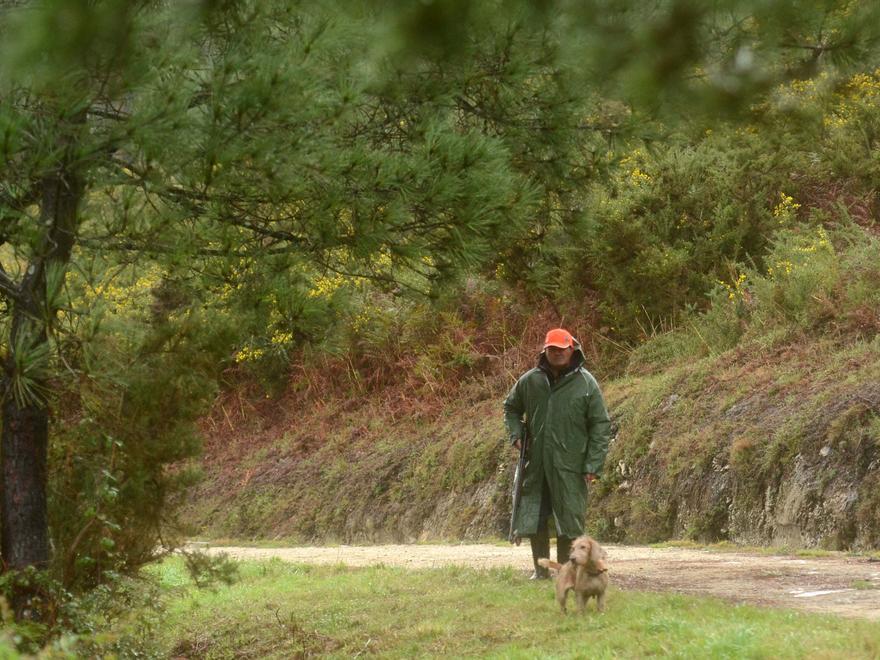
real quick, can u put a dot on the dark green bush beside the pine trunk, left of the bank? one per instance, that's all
(127, 427)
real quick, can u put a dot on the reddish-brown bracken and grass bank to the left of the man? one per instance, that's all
(355, 472)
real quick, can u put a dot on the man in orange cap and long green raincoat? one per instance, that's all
(568, 425)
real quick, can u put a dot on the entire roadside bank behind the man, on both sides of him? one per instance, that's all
(772, 442)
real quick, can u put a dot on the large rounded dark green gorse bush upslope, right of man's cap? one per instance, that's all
(655, 239)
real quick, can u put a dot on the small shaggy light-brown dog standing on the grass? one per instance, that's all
(585, 573)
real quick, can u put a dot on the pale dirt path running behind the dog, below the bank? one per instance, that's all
(845, 586)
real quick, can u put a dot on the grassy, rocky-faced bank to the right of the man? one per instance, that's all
(775, 444)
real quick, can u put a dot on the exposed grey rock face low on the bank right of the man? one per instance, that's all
(809, 482)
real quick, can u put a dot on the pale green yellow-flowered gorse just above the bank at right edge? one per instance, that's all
(816, 282)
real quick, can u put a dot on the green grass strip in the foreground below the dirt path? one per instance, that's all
(281, 610)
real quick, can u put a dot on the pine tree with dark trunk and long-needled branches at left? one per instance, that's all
(250, 131)
